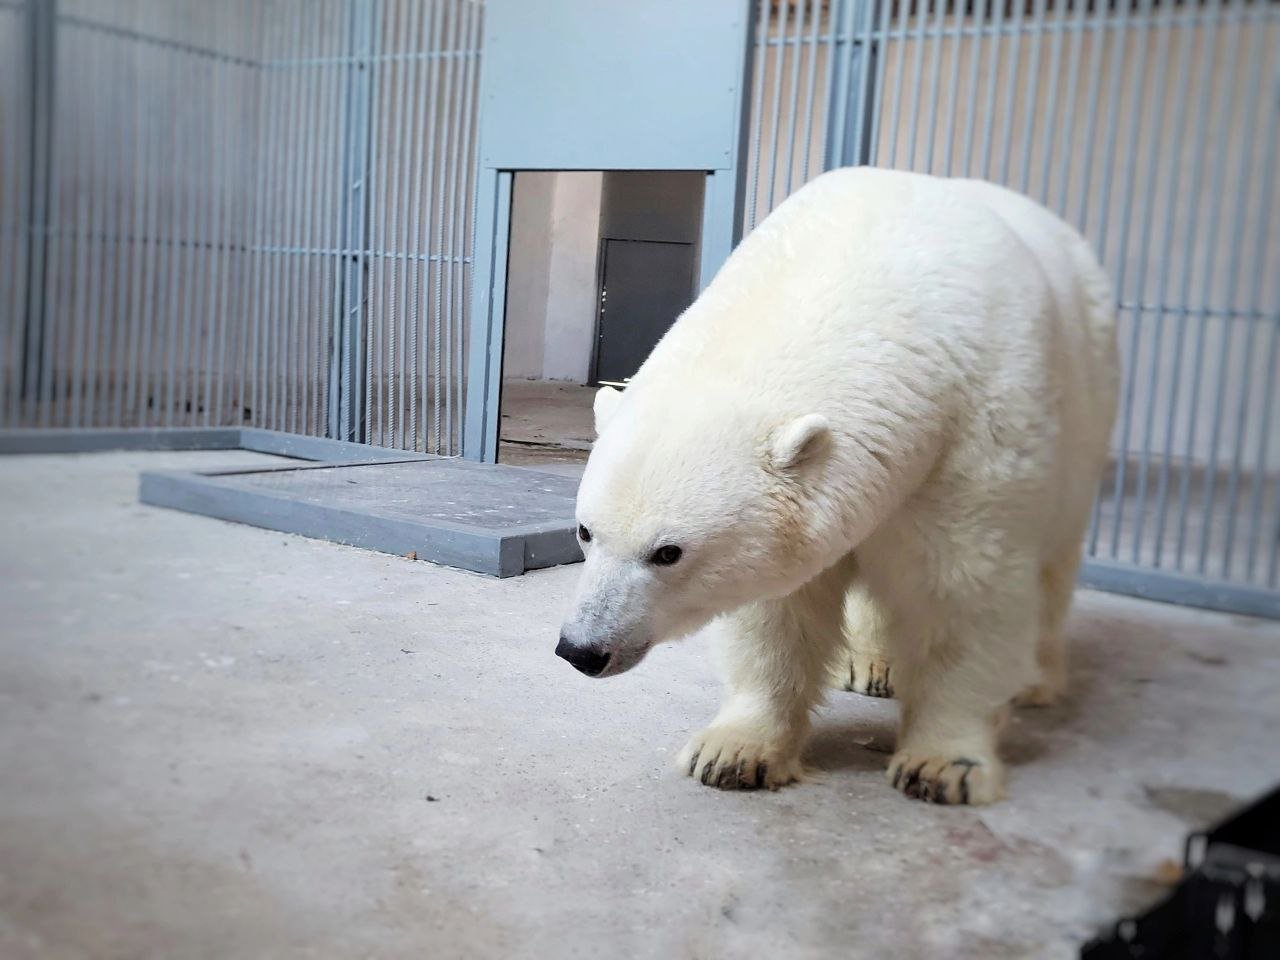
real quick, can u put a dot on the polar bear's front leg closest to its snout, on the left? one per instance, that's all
(776, 657)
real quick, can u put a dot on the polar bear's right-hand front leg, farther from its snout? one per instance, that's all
(961, 668)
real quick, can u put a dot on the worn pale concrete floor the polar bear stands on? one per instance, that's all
(220, 742)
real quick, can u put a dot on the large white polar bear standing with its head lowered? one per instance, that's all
(871, 446)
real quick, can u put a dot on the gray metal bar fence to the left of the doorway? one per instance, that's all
(237, 213)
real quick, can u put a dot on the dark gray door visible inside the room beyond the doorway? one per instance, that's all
(644, 287)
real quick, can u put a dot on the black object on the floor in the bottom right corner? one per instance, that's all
(1228, 904)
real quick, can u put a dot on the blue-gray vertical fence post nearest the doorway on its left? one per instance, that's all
(346, 405)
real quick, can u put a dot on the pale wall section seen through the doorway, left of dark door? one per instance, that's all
(552, 276)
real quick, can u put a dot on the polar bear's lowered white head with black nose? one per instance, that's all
(691, 509)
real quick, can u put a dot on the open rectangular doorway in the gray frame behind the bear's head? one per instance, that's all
(601, 264)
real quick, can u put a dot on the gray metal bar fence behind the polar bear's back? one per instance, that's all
(1154, 129)
